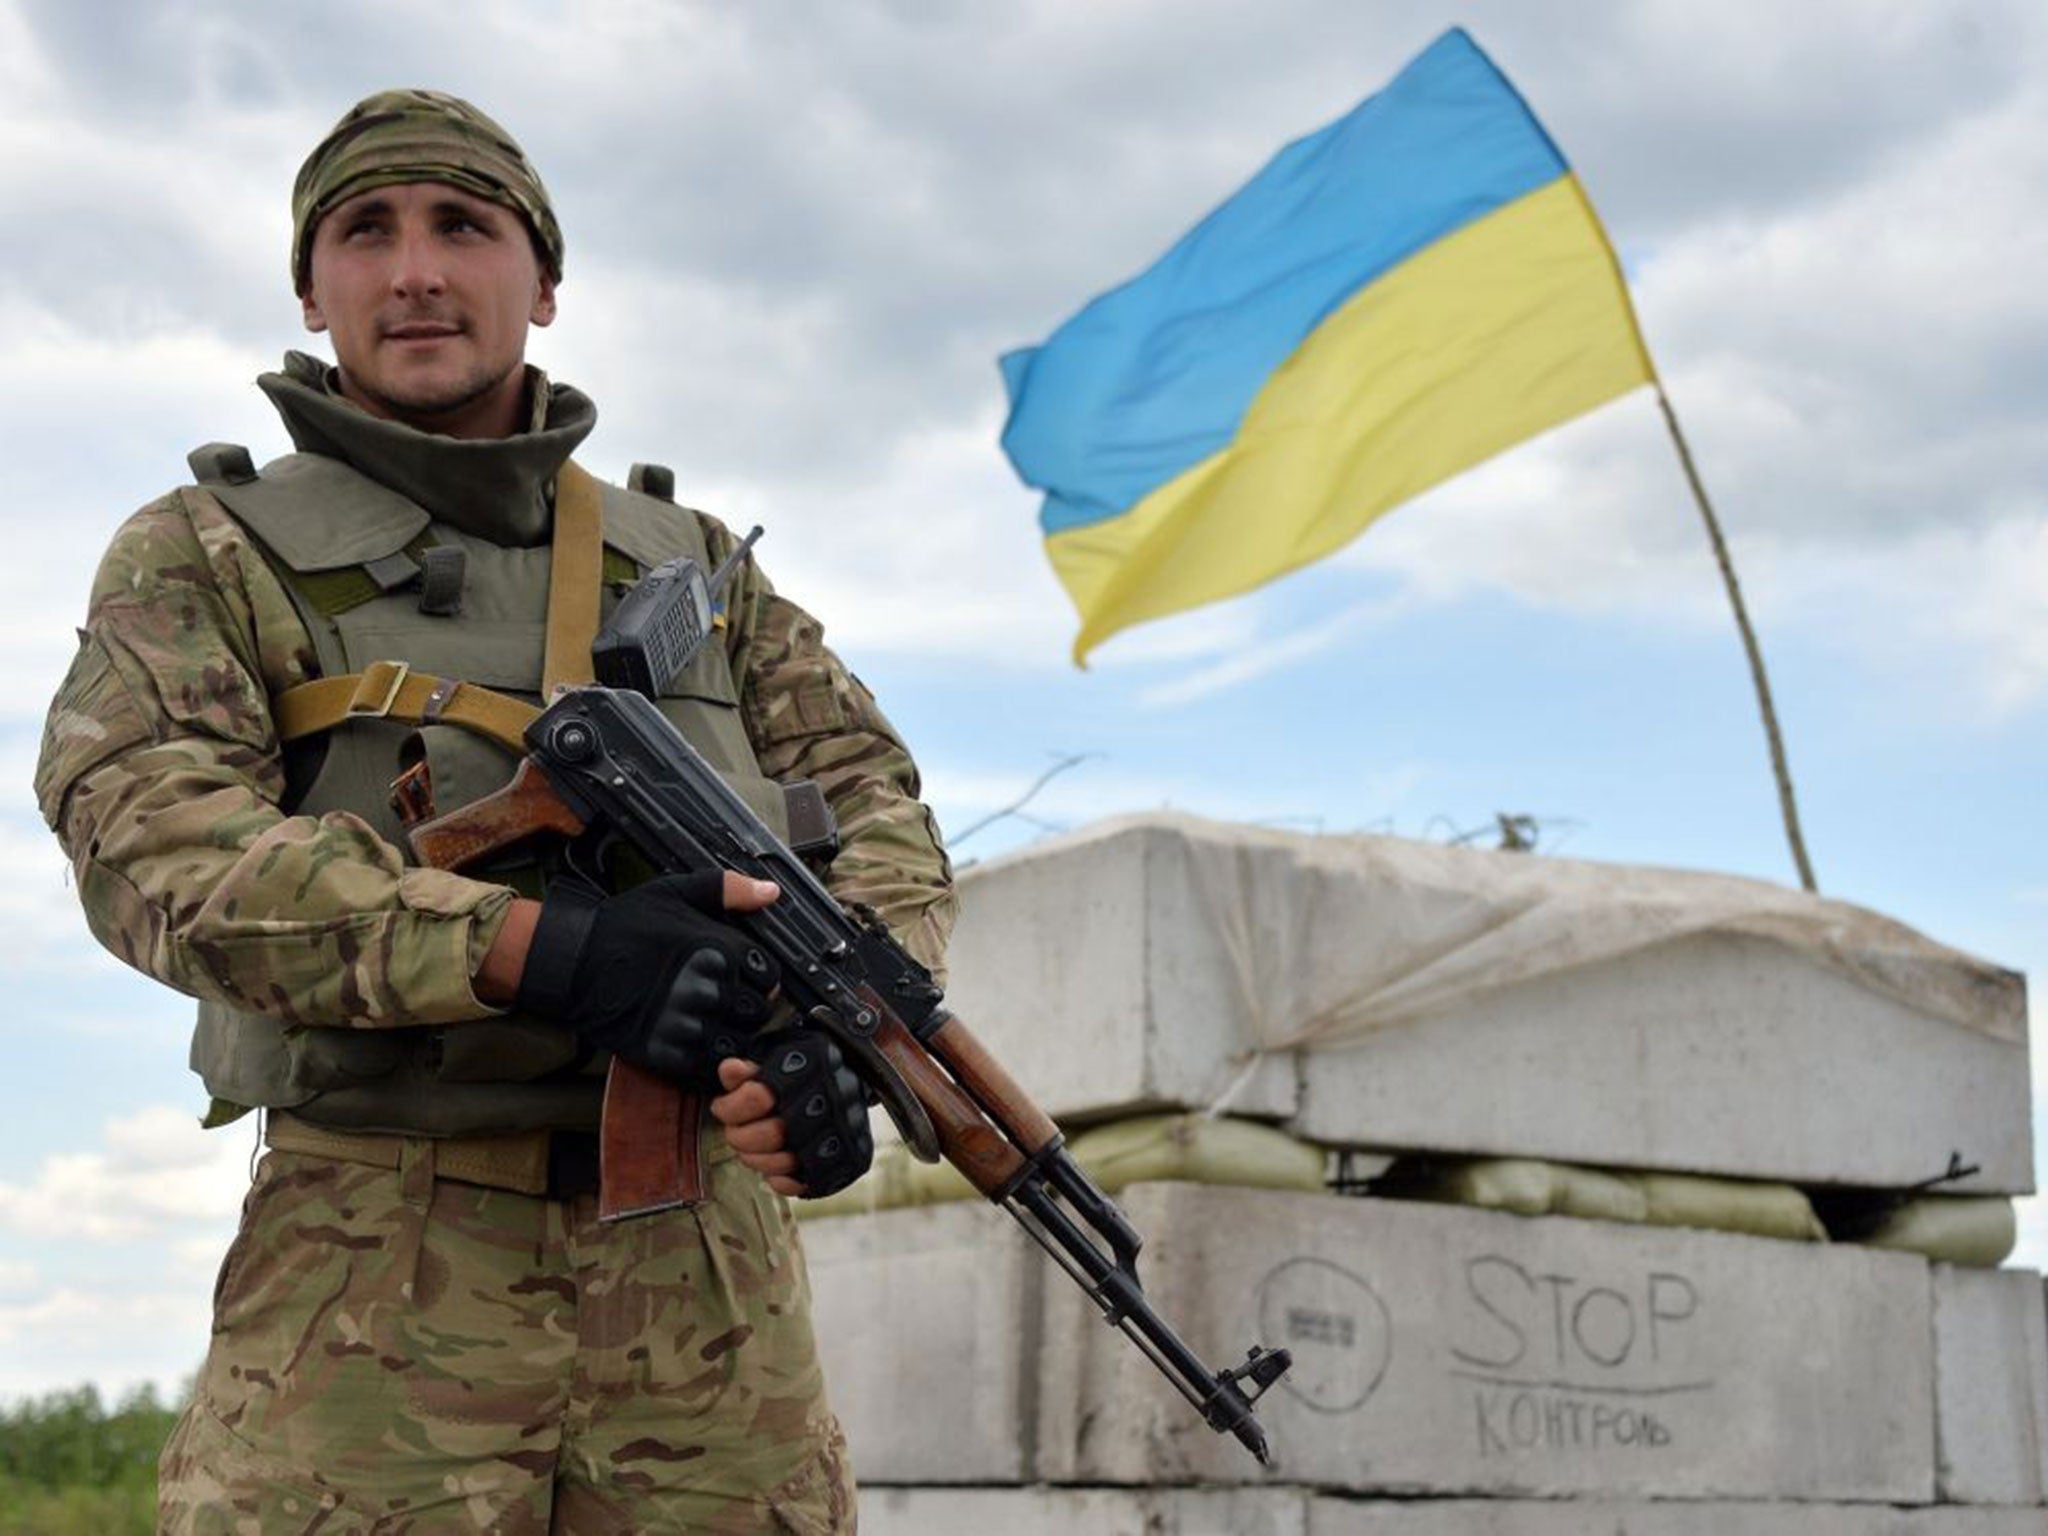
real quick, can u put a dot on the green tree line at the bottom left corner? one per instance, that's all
(75, 1467)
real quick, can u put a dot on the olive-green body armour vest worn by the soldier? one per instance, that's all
(341, 542)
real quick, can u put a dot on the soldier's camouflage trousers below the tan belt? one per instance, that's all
(396, 1353)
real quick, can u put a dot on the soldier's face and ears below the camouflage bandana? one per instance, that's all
(427, 294)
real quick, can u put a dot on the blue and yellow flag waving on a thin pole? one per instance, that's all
(1390, 302)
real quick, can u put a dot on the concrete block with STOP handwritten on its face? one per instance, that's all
(1445, 1351)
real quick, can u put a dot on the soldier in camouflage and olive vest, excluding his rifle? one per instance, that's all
(421, 1324)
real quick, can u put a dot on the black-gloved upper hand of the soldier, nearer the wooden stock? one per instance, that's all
(652, 976)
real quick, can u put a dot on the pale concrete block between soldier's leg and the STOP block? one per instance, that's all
(929, 1324)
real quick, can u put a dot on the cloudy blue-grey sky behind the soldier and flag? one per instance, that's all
(800, 237)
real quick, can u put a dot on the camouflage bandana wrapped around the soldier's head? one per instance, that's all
(419, 136)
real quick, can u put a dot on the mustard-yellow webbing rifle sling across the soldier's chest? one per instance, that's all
(394, 691)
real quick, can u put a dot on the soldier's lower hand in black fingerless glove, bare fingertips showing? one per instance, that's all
(796, 1115)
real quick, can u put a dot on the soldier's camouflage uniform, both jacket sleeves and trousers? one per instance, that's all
(392, 1349)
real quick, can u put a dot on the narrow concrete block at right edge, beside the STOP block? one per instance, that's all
(1992, 1388)
